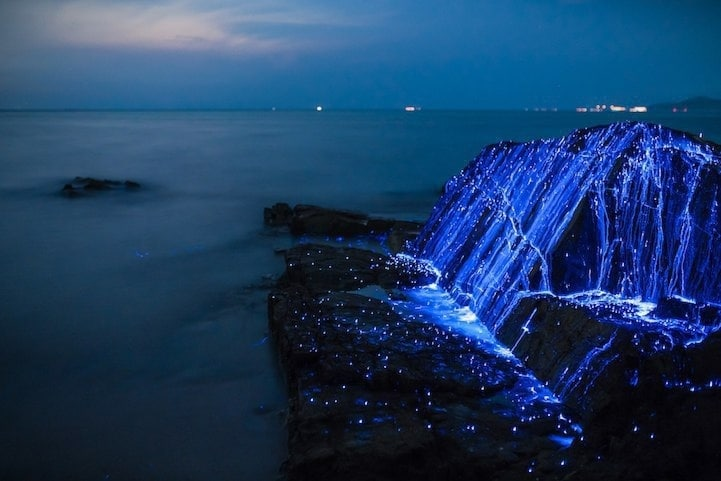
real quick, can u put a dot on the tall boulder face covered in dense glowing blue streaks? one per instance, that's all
(630, 209)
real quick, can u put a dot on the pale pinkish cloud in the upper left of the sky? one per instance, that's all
(249, 27)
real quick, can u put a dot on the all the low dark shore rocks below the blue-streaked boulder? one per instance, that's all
(381, 389)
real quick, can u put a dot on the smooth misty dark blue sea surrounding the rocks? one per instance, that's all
(133, 327)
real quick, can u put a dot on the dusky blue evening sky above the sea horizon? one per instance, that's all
(237, 54)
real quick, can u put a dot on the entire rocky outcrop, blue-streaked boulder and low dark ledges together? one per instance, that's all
(590, 258)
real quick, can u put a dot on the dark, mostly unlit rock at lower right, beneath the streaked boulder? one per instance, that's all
(647, 394)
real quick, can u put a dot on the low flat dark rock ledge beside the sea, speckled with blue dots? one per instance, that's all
(376, 393)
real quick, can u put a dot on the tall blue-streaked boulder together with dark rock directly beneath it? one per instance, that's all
(595, 258)
